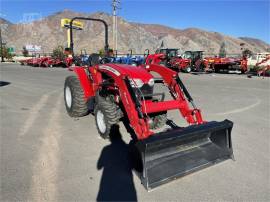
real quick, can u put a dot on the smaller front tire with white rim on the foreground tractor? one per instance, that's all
(107, 114)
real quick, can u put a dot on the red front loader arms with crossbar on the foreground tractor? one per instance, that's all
(138, 110)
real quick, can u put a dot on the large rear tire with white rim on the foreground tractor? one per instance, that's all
(76, 105)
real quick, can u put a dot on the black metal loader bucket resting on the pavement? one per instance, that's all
(168, 155)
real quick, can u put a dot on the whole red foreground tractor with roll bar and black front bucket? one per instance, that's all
(115, 92)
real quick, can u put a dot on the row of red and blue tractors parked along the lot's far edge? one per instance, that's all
(188, 61)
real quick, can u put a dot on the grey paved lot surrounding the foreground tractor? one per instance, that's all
(46, 155)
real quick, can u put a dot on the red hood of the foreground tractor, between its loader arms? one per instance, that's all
(133, 72)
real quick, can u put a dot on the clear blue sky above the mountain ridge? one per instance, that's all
(236, 18)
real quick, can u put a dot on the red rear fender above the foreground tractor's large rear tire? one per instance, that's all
(86, 83)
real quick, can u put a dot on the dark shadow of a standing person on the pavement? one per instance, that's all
(117, 179)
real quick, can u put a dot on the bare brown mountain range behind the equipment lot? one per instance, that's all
(48, 33)
